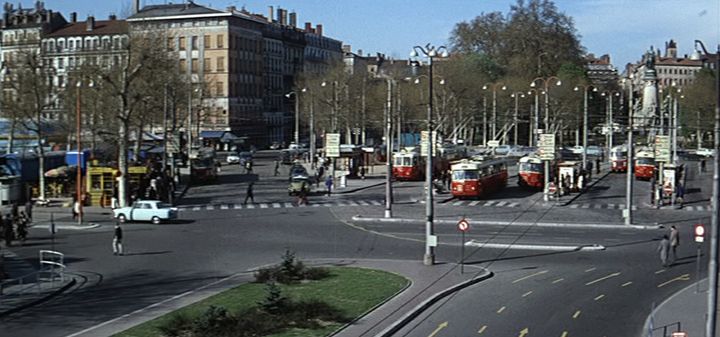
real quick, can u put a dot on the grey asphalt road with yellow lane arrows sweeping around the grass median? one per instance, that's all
(208, 244)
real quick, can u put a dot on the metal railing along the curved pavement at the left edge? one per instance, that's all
(52, 269)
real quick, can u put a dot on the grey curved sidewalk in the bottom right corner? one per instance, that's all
(683, 311)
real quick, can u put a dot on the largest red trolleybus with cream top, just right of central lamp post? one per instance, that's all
(475, 179)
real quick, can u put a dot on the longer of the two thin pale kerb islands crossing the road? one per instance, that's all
(359, 218)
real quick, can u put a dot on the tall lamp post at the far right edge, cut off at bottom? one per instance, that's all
(710, 326)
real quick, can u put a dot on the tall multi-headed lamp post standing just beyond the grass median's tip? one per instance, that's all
(430, 241)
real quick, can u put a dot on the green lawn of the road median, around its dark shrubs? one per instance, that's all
(353, 291)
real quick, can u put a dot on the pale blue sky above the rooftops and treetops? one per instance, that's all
(622, 28)
